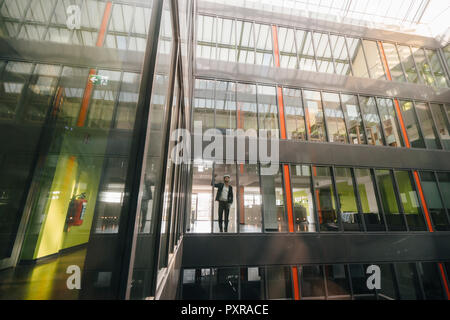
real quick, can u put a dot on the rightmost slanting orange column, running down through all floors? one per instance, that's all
(415, 173)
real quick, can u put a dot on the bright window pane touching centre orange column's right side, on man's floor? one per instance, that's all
(304, 217)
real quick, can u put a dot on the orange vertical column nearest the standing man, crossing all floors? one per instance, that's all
(287, 179)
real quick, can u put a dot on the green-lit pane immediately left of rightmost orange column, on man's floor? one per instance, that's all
(410, 201)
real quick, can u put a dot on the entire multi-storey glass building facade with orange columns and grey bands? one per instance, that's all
(92, 93)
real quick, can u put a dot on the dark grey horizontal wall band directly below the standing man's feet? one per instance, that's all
(291, 249)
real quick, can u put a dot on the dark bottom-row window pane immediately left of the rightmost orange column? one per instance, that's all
(431, 280)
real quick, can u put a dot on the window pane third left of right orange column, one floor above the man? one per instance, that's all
(353, 115)
